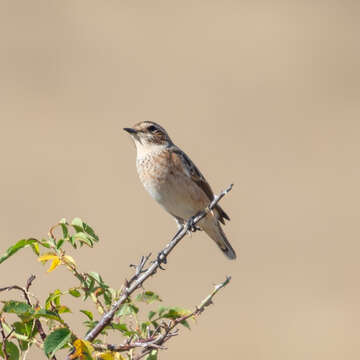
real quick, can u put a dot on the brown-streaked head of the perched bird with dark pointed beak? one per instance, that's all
(149, 136)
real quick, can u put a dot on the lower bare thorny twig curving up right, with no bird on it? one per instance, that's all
(156, 341)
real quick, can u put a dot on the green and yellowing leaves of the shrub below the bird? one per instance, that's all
(138, 320)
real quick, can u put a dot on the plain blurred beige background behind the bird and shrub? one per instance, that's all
(264, 94)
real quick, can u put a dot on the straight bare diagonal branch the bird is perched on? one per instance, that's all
(141, 275)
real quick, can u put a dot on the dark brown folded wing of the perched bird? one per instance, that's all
(194, 173)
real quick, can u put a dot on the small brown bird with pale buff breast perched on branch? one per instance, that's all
(174, 181)
